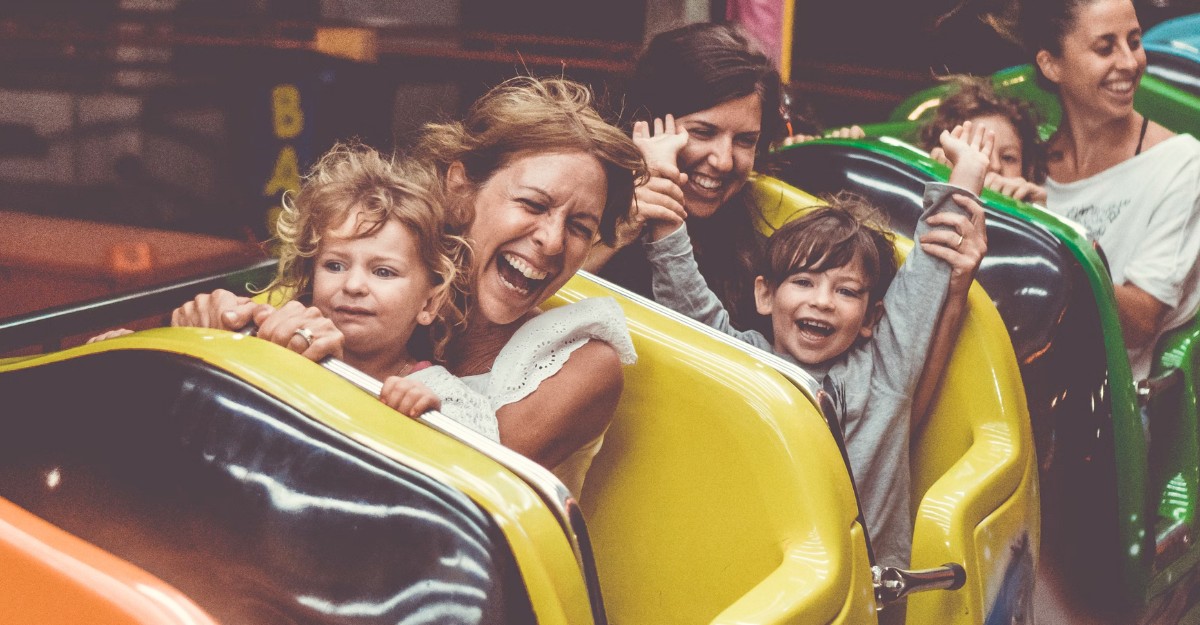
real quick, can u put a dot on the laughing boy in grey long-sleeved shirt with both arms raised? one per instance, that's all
(827, 285)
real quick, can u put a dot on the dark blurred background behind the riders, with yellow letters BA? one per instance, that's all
(195, 116)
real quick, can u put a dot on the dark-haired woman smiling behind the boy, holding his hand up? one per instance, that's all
(727, 95)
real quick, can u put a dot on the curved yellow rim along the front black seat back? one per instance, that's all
(544, 556)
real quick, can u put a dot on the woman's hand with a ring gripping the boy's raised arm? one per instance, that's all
(962, 242)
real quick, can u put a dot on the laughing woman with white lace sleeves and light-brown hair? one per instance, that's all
(535, 177)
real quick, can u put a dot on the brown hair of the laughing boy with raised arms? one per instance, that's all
(831, 237)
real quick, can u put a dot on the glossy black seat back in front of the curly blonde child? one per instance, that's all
(257, 513)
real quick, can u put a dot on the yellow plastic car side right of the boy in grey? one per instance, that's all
(974, 462)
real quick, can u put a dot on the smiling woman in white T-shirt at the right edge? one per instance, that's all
(1133, 184)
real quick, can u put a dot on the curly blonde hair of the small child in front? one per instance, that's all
(353, 178)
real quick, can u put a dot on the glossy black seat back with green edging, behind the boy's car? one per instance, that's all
(1047, 303)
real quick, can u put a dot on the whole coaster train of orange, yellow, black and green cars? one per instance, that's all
(181, 476)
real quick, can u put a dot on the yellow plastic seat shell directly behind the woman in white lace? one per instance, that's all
(719, 495)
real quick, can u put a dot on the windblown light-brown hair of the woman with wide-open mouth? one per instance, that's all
(527, 115)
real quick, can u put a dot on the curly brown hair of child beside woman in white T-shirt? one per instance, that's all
(973, 98)
